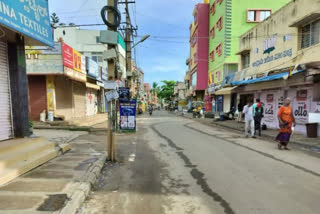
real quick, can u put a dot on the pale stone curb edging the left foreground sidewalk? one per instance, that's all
(80, 193)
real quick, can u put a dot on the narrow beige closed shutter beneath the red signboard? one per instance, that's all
(79, 97)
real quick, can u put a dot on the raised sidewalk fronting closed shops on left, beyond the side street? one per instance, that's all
(99, 121)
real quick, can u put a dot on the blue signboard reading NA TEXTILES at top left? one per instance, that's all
(29, 17)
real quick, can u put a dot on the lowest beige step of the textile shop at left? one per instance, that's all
(25, 166)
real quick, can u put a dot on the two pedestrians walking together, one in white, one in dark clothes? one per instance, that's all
(253, 115)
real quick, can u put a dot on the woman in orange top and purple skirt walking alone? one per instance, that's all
(286, 121)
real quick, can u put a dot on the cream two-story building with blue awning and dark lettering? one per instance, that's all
(280, 58)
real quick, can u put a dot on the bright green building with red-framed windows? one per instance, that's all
(228, 20)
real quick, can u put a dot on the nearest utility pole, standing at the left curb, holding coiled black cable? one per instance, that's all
(111, 77)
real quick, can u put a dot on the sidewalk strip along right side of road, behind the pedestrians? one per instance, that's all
(299, 140)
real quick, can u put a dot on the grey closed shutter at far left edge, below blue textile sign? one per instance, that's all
(5, 99)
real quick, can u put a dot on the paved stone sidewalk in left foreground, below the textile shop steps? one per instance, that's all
(62, 184)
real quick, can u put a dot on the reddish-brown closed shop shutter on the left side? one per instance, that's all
(37, 96)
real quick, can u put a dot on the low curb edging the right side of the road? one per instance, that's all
(304, 147)
